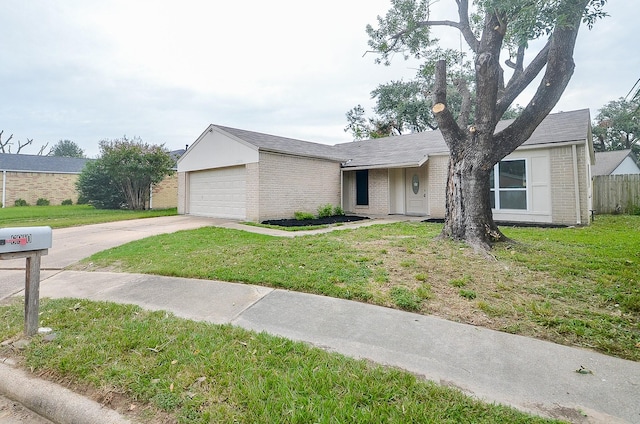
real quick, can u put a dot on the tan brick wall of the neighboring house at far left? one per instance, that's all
(31, 186)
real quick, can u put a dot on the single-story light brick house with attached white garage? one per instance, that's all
(233, 173)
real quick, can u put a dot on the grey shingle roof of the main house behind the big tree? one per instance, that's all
(410, 150)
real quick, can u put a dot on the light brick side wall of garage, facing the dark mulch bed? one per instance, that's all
(288, 184)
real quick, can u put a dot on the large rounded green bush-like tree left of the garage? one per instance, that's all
(128, 167)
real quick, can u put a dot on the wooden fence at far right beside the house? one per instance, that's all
(616, 193)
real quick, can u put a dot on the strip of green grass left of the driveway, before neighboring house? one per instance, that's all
(70, 216)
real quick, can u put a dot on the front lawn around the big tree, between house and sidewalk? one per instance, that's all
(575, 286)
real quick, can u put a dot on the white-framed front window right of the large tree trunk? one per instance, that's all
(509, 189)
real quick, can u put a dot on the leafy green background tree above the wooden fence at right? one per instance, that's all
(617, 126)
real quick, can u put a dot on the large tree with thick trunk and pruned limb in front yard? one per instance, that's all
(489, 28)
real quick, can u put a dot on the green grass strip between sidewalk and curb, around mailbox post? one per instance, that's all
(201, 373)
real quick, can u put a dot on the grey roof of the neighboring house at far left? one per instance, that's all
(37, 163)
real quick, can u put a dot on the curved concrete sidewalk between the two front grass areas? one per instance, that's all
(532, 375)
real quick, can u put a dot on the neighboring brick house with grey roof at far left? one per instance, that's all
(30, 177)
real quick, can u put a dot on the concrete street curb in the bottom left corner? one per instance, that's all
(52, 401)
